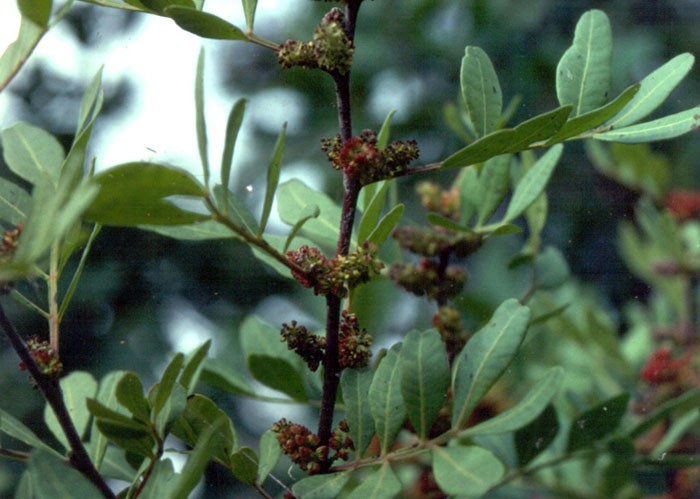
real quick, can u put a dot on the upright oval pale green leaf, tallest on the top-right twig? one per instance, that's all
(583, 73)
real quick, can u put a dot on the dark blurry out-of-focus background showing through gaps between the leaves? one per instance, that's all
(144, 296)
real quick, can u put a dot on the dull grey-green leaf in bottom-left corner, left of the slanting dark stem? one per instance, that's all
(52, 478)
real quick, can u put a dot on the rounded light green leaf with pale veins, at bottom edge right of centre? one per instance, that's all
(466, 469)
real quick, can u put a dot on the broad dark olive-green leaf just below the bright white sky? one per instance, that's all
(136, 193)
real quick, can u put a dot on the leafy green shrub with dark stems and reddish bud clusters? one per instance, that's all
(537, 398)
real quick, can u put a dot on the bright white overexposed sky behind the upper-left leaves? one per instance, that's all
(159, 121)
